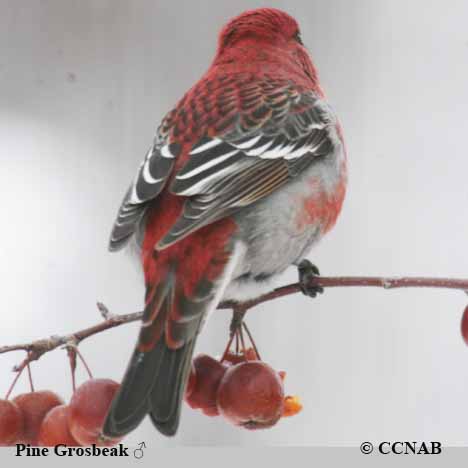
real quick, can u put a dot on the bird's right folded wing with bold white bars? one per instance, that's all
(276, 135)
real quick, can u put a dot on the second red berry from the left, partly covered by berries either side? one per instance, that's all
(35, 406)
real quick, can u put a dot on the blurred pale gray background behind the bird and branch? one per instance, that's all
(83, 86)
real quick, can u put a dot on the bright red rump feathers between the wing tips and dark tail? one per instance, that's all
(195, 261)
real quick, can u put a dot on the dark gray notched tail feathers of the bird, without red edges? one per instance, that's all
(154, 383)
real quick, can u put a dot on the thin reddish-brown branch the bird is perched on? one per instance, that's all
(36, 349)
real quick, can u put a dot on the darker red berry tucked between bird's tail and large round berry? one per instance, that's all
(207, 374)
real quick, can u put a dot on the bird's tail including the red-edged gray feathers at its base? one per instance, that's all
(155, 378)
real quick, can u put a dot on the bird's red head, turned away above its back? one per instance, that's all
(265, 34)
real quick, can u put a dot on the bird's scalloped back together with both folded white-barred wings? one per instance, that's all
(255, 136)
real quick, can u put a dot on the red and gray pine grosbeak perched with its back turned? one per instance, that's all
(245, 175)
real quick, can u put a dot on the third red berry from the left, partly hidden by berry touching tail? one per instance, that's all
(54, 429)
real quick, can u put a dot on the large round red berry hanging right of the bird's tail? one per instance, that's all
(251, 395)
